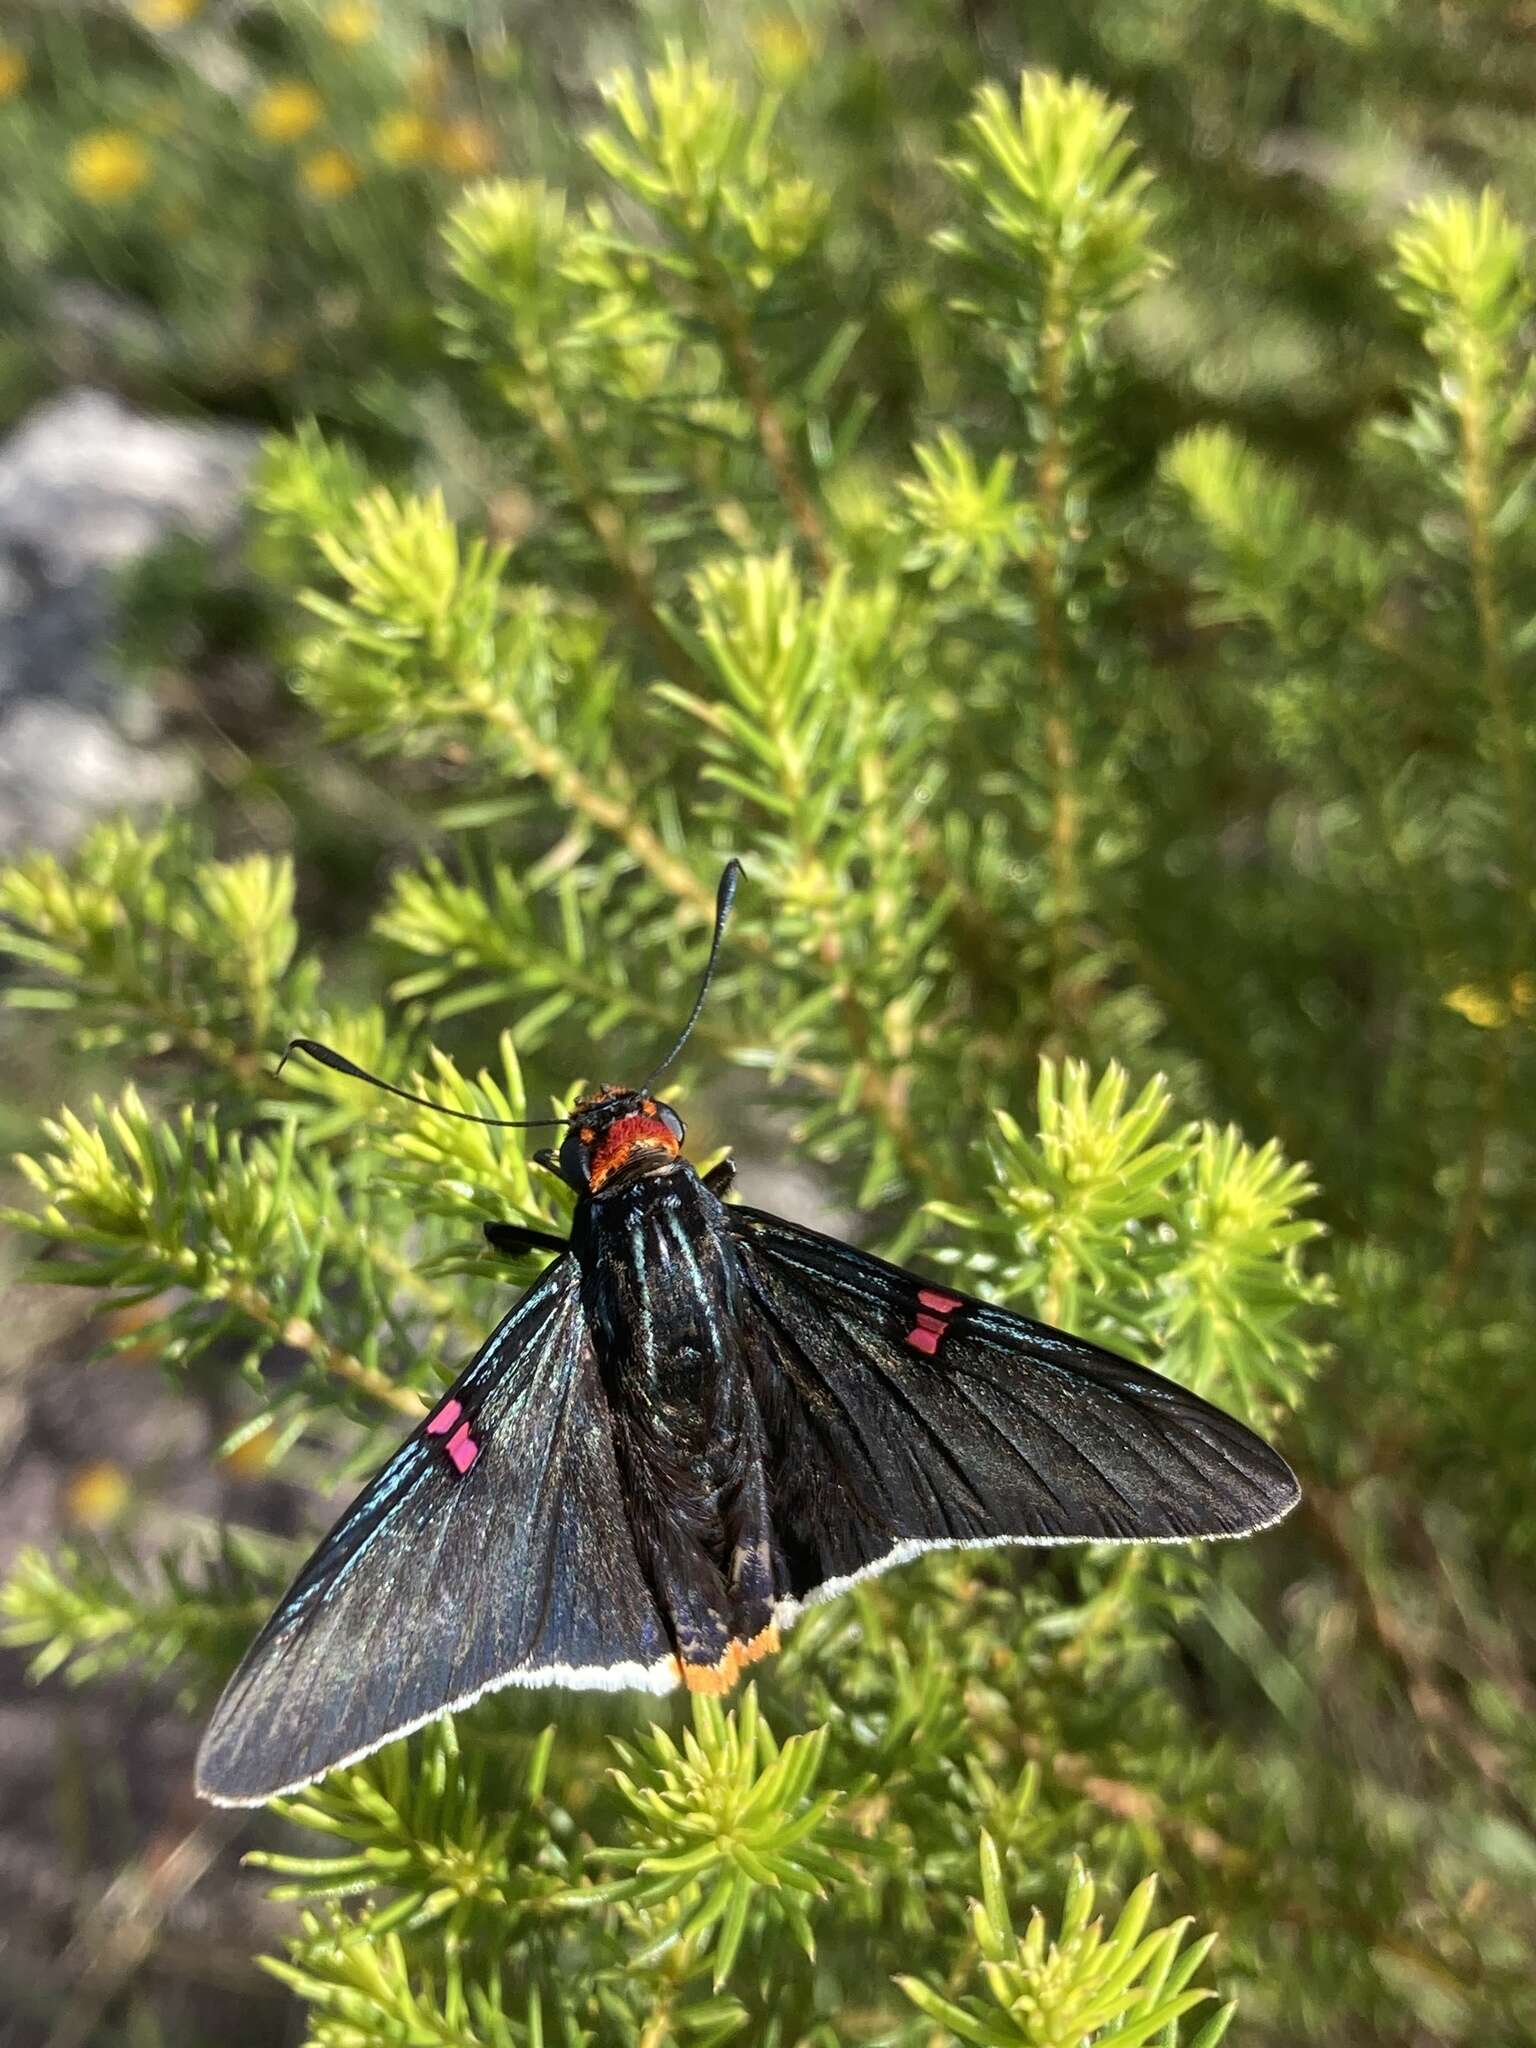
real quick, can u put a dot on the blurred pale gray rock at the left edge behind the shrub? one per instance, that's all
(89, 486)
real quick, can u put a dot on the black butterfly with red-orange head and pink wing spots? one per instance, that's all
(695, 1424)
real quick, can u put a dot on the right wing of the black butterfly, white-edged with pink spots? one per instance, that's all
(908, 1416)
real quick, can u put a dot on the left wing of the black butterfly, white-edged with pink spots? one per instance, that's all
(493, 1549)
